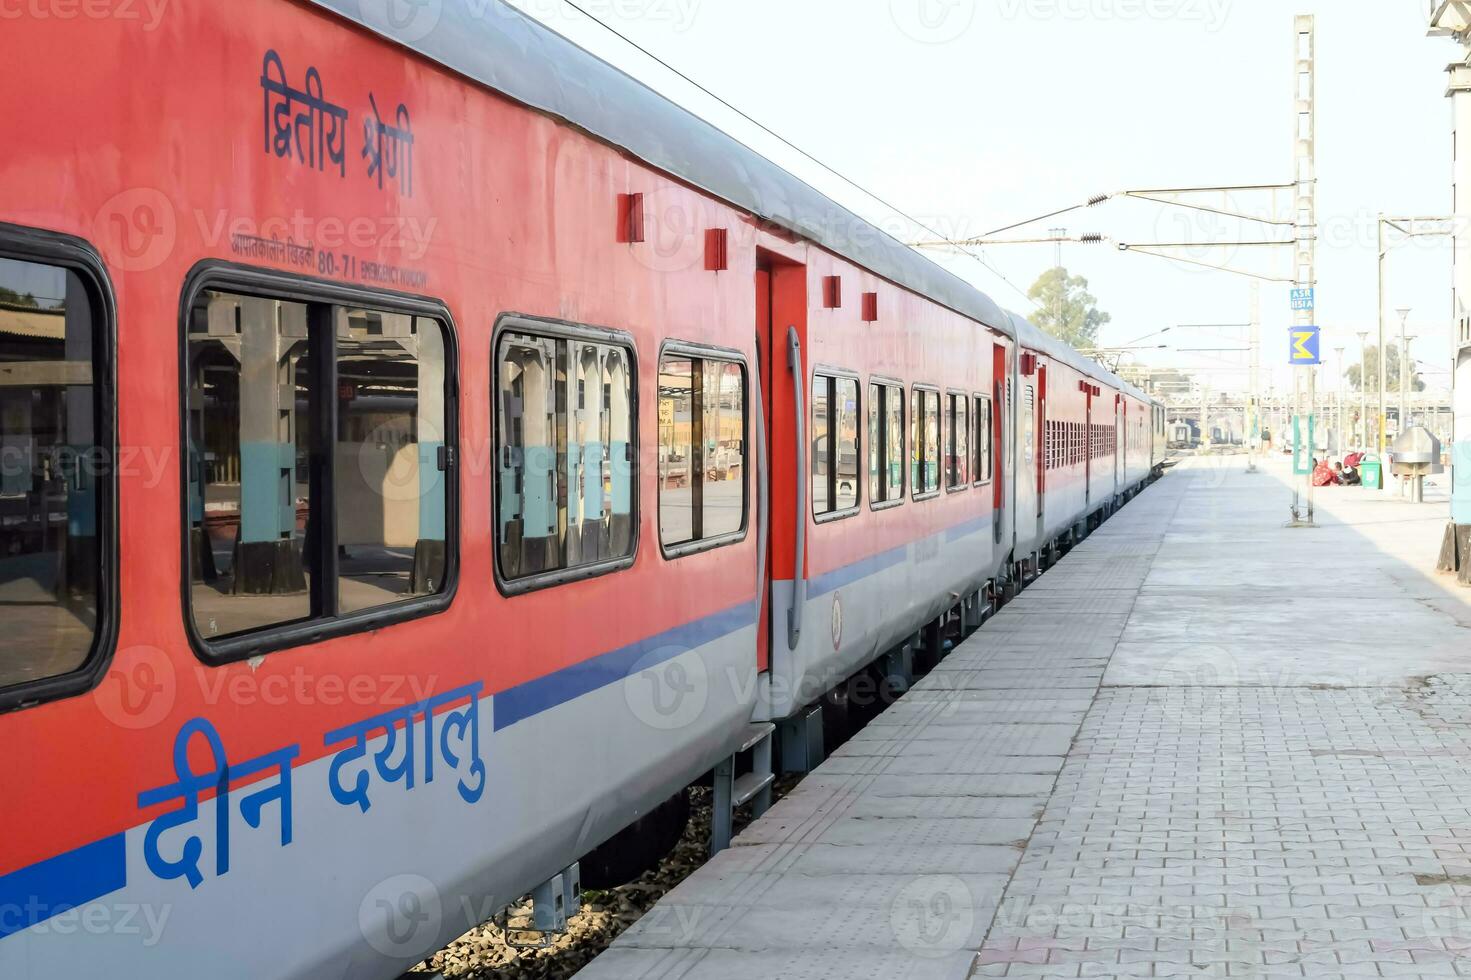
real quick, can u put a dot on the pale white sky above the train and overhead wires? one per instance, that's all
(976, 114)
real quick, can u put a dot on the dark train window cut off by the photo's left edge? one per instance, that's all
(57, 467)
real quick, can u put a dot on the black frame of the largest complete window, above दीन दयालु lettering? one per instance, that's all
(283, 286)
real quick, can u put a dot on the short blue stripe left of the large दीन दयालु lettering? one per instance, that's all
(60, 885)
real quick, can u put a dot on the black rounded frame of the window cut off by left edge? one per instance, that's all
(76, 255)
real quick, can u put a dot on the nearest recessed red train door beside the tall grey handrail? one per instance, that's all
(782, 483)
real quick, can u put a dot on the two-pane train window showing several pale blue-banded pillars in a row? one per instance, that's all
(566, 450)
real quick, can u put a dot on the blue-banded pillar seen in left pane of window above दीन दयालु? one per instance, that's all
(268, 553)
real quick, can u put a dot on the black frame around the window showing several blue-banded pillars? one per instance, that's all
(555, 329)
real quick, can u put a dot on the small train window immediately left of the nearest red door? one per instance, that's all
(702, 451)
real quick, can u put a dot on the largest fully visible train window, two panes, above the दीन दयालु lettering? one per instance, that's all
(320, 480)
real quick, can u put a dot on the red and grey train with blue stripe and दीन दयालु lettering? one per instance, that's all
(427, 451)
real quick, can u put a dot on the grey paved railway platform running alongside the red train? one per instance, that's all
(1203, 745)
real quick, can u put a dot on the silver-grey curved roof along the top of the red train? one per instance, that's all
(516, 55)
